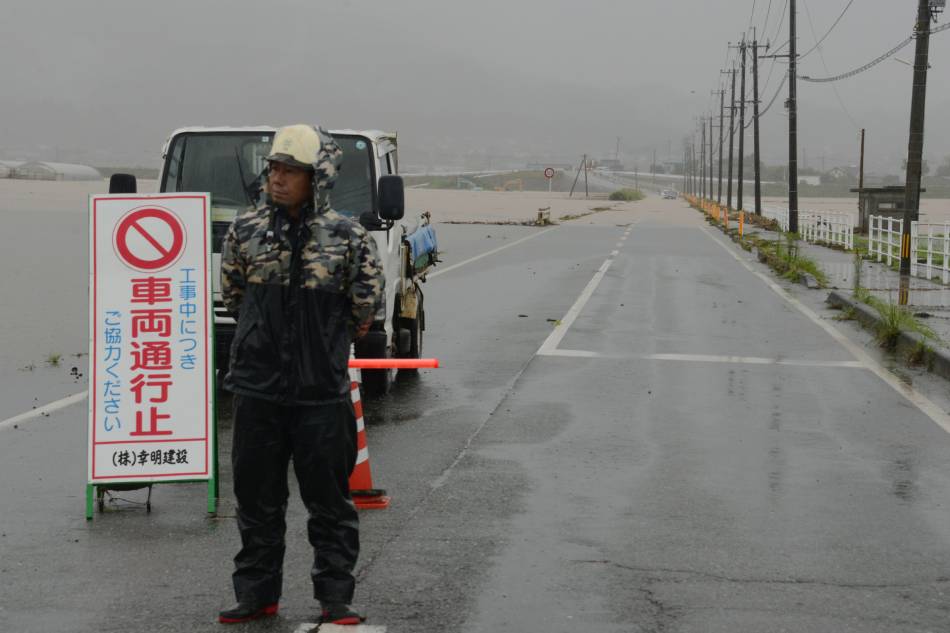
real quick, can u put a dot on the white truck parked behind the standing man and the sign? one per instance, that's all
(228, 162)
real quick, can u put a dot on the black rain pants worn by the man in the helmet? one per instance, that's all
(322, 442)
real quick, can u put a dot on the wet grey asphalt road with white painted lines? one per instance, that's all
(638, 481)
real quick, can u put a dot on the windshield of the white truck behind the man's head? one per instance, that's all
(227, 164)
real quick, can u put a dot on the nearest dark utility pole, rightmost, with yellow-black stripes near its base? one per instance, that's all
(915, 145)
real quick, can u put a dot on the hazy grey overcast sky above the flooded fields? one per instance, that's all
(105, 81)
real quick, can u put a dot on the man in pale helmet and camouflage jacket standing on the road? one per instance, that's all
(302, 281)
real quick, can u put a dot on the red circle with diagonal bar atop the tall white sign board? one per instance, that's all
(149, 239)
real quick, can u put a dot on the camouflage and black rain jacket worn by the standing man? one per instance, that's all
(297, 308)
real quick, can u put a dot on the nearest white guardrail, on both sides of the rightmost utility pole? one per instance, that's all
(929, 245)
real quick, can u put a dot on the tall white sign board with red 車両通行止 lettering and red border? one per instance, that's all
(150, 338)
